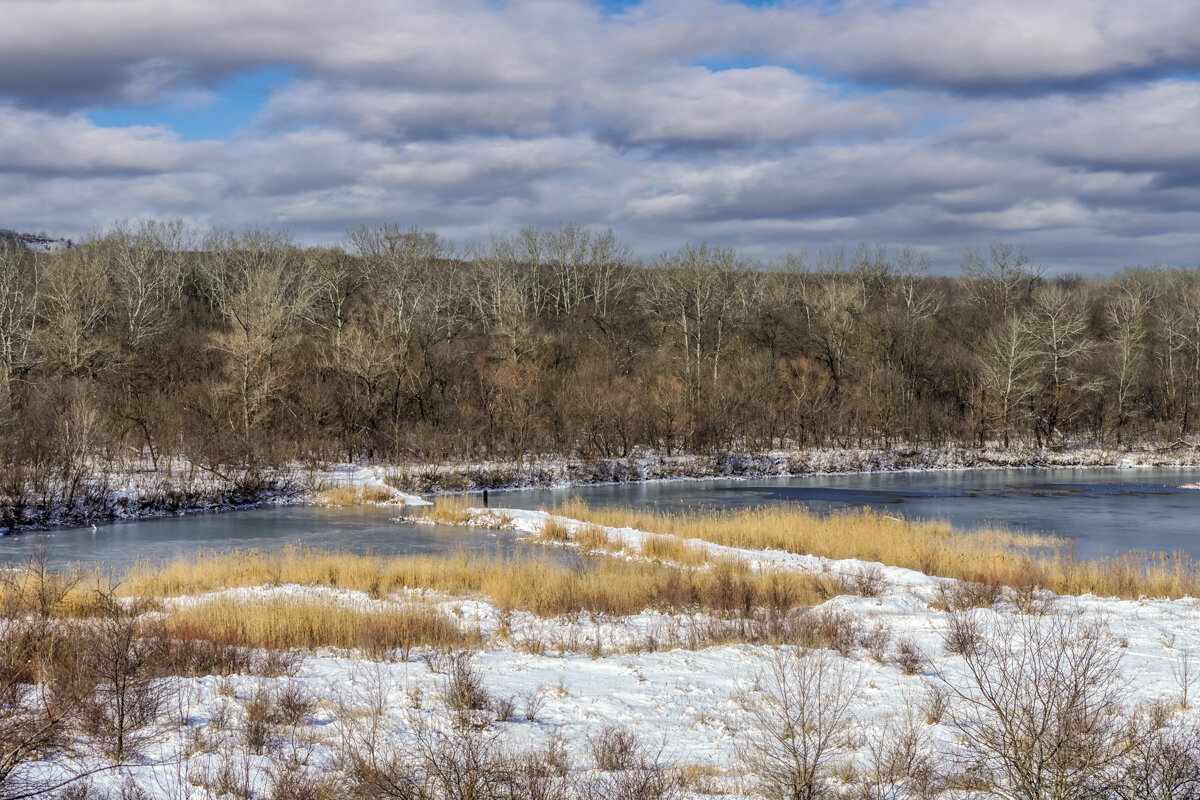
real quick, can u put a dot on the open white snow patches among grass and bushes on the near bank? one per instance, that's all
(591, 672)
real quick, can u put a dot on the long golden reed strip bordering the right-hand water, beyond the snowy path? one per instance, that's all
(988, 556)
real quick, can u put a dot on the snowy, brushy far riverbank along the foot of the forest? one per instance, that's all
(113, 495)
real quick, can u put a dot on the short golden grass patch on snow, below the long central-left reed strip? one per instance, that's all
(290, 623)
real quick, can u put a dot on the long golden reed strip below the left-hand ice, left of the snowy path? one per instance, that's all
(544, 587)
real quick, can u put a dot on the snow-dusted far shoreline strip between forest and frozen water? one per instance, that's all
(146, 496)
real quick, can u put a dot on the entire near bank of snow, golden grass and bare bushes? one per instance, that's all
(623, 664)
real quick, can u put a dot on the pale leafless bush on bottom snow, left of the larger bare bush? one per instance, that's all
(799, 723)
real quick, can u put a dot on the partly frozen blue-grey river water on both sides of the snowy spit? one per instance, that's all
(1102, 512)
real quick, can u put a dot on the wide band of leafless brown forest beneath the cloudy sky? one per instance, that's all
(153, 342)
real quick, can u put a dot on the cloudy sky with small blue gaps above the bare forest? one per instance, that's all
(1071, 127)
